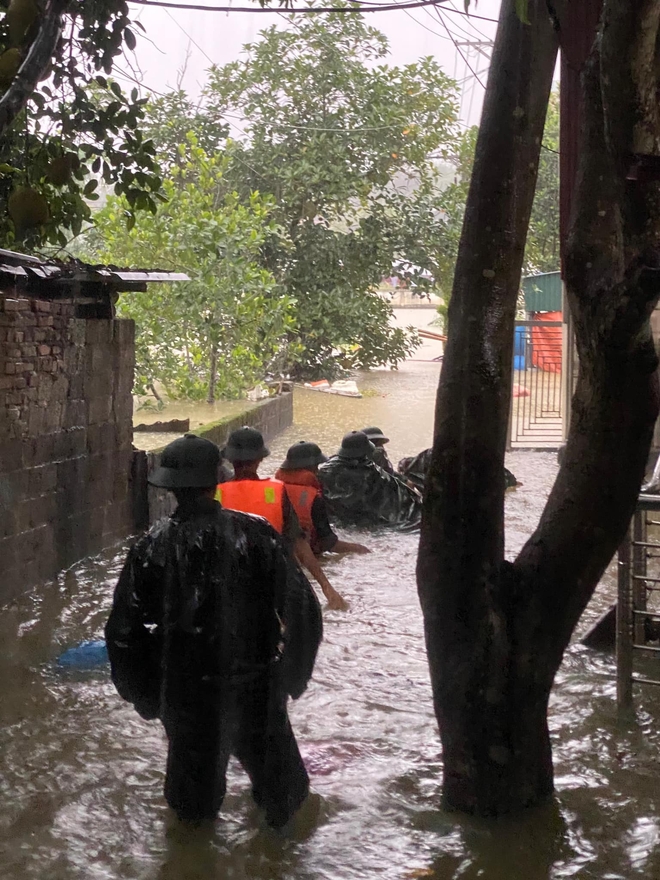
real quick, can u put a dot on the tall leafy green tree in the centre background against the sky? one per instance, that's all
(336, 137)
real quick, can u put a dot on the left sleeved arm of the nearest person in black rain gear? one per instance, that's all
(133, 645)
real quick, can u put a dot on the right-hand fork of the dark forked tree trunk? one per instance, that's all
(612, 275)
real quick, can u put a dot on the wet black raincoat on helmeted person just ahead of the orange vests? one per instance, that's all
(359, 493)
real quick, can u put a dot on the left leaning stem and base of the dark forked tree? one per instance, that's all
(495, 755)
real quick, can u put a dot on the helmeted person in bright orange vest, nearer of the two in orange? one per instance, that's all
(267, 497)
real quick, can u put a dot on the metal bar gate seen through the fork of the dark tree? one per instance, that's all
(538, 399)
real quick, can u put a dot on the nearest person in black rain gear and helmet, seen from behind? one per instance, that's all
(212, 627)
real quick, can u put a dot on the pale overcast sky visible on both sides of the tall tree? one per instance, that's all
(190, 41)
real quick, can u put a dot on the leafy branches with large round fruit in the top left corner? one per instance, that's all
(66, 124)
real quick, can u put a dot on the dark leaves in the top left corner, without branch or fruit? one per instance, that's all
(78, 116)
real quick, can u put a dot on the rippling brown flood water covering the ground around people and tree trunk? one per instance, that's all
(81, 774)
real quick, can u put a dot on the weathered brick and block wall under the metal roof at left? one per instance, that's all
(65, 438)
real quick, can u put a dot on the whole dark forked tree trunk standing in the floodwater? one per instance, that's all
(496, 631)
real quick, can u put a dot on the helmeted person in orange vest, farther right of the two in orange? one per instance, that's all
(298, 472)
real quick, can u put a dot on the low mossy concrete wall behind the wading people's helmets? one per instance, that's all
(271, 417)
